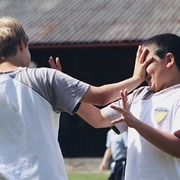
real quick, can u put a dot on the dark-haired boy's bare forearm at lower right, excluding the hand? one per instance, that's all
(168, 143)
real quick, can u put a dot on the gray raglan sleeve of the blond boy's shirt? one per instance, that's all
(62, 91)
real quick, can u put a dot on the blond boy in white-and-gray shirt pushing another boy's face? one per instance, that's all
(32, 100)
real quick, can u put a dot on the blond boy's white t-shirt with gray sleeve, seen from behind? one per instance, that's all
(31, 103)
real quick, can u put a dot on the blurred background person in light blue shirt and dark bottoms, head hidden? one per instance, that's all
(116, 147)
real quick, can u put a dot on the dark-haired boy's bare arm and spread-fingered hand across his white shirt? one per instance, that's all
(167, 142)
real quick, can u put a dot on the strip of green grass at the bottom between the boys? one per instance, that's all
(87, 176)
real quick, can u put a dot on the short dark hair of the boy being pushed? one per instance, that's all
(166, 43)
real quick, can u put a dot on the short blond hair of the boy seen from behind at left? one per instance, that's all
(11, 33)
